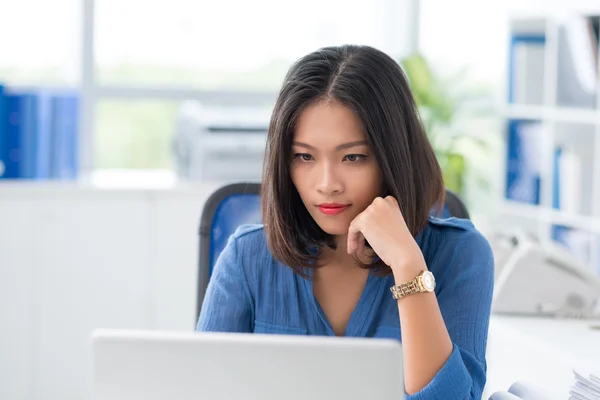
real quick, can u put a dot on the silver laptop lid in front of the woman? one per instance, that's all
(153, 365)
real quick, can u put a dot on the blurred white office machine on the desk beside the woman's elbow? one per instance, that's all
(541, 279)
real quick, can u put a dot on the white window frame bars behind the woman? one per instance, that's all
(92, 91)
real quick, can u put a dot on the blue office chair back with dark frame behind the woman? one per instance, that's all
(239, 203)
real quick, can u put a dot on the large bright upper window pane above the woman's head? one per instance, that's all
(234, 44)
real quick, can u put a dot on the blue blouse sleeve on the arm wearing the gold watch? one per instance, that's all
(465, 302)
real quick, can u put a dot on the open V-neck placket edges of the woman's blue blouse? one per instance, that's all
(359, 321)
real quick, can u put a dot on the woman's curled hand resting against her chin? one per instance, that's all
(383, 226)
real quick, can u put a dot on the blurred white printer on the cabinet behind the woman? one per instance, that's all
(220, 143)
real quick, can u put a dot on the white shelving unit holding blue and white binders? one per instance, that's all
(551, 182)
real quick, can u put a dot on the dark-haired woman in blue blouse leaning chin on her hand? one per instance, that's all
(350, 245)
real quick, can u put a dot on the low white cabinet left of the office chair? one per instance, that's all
(74, 259)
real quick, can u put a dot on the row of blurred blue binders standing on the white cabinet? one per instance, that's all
(39, 133)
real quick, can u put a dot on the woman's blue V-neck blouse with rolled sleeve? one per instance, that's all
(249, 291)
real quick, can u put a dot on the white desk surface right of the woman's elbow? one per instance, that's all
(542, 352)
